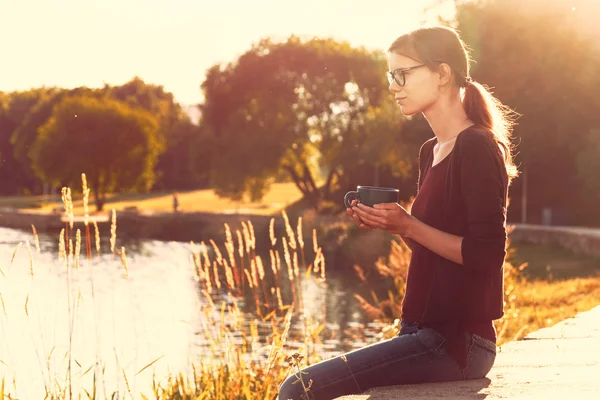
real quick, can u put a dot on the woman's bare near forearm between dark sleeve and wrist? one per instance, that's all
(442, 243)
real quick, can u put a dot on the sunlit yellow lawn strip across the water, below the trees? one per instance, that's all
(277, 198)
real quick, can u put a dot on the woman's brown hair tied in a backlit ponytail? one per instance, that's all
(441, 45)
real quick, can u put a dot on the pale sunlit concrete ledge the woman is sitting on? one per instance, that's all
(560, 362)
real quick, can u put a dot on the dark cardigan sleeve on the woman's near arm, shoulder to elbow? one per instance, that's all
(483, 183)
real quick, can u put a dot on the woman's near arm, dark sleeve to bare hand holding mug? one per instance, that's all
(483, 186)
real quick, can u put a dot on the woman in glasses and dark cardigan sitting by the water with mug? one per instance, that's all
(457, 229)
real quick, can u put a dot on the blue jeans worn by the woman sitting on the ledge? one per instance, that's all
(414, 356)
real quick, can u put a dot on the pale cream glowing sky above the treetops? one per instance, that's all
(70, 43)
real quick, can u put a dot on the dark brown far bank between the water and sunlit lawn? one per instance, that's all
(342, 244)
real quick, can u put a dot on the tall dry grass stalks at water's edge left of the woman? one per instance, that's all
(231, 368)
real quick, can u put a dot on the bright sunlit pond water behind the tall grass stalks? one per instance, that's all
(116, 323)
